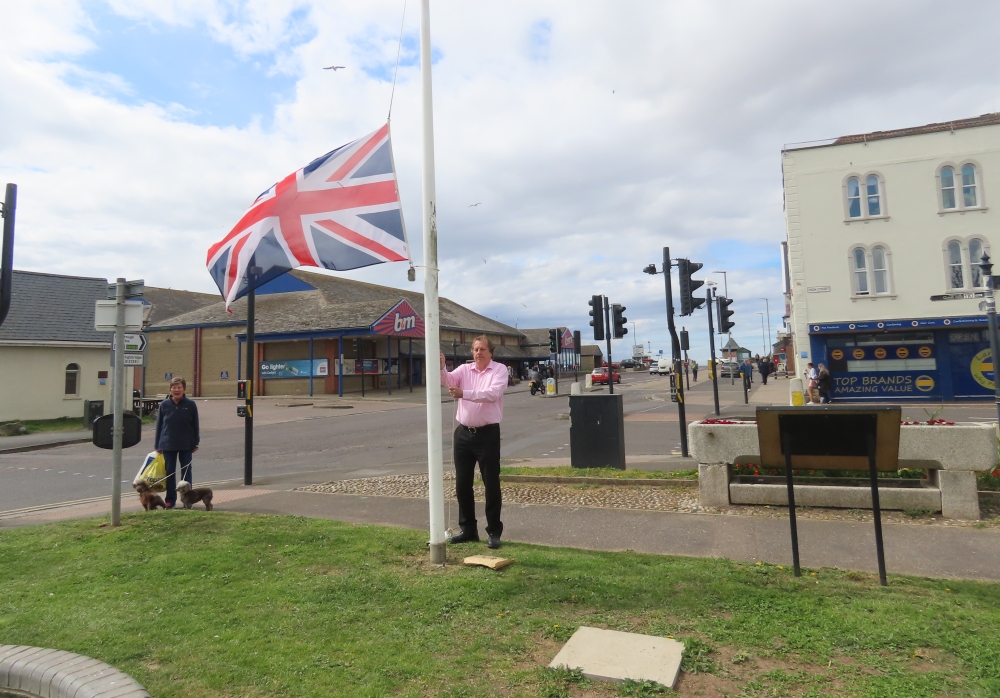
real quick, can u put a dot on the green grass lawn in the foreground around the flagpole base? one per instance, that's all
(223, 604)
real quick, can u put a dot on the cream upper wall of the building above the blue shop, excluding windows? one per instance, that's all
(914, 227)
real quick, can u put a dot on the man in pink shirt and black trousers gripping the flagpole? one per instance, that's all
(478, 389)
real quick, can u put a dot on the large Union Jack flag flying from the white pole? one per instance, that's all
(341, 211)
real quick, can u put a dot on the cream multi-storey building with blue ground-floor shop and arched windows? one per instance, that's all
(884, 232)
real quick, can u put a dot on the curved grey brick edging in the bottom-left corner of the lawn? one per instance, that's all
(49, 673)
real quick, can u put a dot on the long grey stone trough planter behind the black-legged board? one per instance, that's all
(952, 454)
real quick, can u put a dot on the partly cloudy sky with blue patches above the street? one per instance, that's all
(592, 135)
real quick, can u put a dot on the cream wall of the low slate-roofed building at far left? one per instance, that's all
(33, 380)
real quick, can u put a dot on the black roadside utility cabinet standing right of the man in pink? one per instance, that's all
(597, 431)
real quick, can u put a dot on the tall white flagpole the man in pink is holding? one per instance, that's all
(432, 319)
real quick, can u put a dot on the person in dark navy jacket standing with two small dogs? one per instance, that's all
(177, 436)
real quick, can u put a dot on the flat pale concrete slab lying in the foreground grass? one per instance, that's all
(610, 655)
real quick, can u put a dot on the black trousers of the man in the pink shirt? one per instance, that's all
(479, 446)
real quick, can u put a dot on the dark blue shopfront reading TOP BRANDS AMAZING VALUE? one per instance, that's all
(926, 359)
